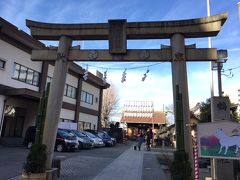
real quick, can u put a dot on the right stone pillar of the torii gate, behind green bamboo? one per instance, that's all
(179, 77)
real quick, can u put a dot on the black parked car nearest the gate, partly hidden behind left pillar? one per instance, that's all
(64, 140)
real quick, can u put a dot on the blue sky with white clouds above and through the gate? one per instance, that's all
(158, 84)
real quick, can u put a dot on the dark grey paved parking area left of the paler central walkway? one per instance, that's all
(92, 160)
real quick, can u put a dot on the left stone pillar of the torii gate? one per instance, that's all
(55, 97)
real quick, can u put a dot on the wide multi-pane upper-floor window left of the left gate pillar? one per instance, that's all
(25, 74)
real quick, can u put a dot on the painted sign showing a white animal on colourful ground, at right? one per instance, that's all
(219, 140)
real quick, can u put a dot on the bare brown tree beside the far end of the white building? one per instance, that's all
(109, 104)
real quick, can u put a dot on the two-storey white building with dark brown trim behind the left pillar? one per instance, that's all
(22, 83)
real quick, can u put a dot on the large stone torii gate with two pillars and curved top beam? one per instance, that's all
(117, 32)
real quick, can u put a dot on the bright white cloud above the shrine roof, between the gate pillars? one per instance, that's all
(154, 88)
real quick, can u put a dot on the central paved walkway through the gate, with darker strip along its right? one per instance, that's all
(133, 165)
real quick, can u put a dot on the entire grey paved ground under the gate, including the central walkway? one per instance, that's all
(121, 162)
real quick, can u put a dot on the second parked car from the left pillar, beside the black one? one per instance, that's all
(84, 141)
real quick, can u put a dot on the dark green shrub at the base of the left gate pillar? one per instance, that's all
(36, 159)
